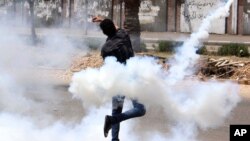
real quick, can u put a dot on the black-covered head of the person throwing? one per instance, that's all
(108, 27)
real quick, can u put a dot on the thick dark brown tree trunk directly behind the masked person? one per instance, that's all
(132, 23)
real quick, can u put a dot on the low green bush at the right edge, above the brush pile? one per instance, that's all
(239, 50)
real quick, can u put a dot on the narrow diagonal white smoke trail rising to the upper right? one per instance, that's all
(186, 56)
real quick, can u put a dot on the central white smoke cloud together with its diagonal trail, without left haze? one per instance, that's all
(186, 103)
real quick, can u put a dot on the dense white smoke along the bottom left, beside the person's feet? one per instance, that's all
(15, 127)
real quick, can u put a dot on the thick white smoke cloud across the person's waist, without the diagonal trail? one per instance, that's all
(187, 103)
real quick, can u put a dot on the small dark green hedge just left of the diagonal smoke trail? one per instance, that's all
(168, 46)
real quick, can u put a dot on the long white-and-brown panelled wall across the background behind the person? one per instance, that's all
(155, 15)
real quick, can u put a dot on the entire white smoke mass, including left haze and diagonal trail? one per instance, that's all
(31, 109)
